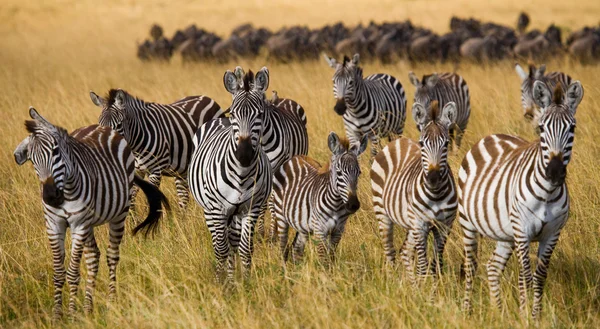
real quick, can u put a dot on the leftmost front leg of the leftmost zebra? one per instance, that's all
(56, 236)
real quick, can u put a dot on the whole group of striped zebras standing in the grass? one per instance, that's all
(239, 162)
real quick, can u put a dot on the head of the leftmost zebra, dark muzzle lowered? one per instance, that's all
(43, 148)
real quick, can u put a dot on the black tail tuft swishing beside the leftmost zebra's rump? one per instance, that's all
(156, 200)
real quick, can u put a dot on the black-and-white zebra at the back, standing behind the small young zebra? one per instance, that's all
(374, 106)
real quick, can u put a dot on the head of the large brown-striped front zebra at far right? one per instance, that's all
(557, 127)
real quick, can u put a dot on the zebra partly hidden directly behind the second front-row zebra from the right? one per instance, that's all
(444, 88)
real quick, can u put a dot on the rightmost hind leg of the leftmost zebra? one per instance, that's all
(115, 235)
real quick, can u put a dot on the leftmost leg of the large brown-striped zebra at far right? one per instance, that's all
(470, 237)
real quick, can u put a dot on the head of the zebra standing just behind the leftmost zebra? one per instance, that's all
(113, 108)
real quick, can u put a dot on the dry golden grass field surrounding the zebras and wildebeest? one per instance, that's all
(53, 54)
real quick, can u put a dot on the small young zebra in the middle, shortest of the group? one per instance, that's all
(317, 200)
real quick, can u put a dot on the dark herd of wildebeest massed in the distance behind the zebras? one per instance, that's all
(468, 39)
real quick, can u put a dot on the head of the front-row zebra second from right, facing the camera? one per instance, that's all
(434, 140)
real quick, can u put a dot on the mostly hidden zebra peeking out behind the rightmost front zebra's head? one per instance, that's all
(530, 111)
